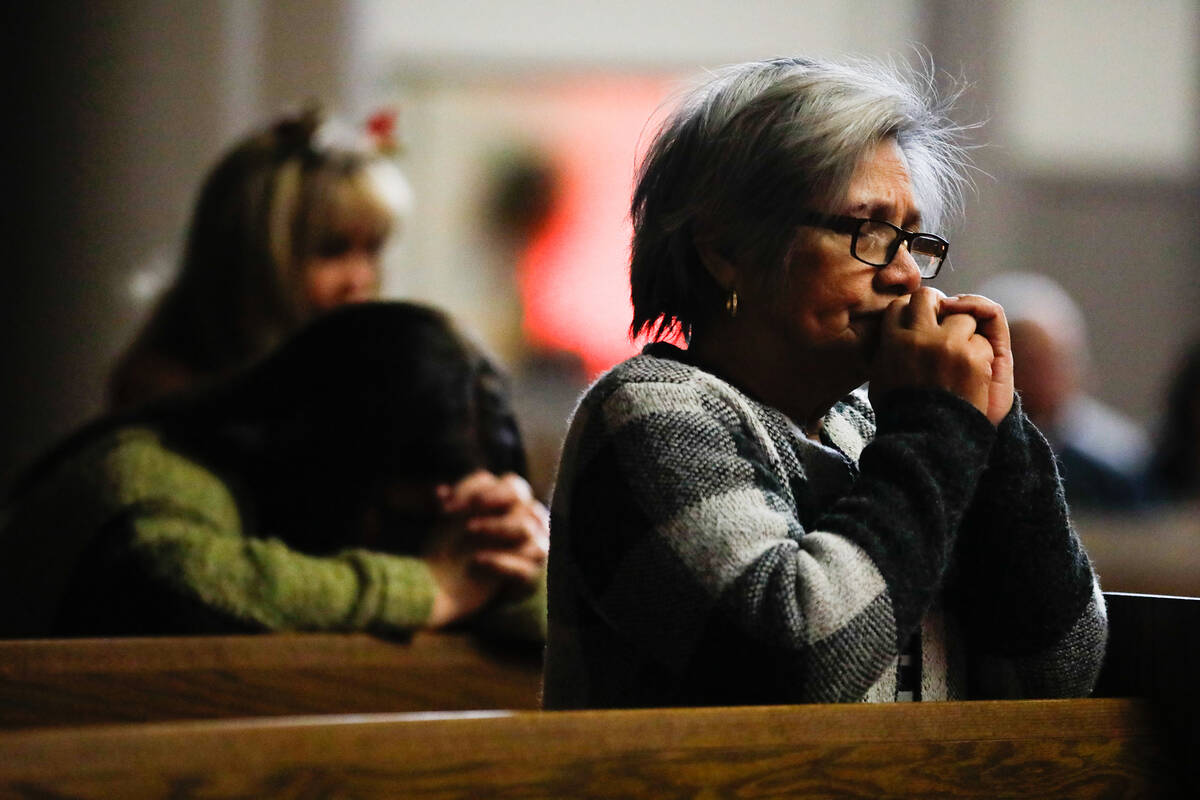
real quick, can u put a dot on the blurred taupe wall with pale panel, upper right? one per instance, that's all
(1089, 170)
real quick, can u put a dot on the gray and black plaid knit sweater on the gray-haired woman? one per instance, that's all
(705, 552)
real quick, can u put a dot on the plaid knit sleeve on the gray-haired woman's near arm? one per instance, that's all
(676, 522)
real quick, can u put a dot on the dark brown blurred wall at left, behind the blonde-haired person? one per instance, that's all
(123, 105)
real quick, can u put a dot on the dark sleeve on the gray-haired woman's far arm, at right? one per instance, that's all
(1029, 597)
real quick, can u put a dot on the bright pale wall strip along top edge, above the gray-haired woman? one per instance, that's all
(625, 34)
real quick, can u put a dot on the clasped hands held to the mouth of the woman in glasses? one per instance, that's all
(961, 345)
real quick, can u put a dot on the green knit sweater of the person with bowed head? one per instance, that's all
(129, 537)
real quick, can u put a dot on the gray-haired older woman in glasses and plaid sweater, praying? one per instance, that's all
(739, 522)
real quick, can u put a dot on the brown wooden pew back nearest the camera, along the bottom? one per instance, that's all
(1031, 749)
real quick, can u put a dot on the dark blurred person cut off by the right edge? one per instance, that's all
(1175, 467)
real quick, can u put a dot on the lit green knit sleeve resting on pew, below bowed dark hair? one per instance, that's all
(185, 532)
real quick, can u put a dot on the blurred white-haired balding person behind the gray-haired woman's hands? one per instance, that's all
(1102, 454)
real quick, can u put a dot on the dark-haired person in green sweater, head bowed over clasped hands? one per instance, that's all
(367, 477)
